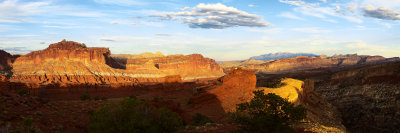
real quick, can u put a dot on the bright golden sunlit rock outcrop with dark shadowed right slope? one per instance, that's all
(322, 115)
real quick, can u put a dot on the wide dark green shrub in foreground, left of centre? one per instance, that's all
(133, 115)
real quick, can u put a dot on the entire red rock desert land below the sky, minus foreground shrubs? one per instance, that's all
(61, 86)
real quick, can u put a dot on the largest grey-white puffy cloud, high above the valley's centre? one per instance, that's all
(214, 16)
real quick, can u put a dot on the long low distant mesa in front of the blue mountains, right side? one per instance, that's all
(304, 63)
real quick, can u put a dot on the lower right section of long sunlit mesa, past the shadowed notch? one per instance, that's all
(189, 67)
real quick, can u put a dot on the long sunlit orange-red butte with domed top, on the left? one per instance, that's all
(69, 62)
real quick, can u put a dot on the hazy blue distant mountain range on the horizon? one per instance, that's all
(280, 55)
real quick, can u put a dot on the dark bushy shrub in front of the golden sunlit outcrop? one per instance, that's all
(267, 113)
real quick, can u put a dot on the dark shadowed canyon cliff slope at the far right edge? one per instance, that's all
(368, 98)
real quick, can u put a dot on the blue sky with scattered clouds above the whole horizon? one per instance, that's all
(219, 29)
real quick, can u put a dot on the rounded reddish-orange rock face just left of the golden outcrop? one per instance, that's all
(234, 88)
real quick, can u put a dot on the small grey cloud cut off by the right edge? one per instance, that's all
(381, 13)
